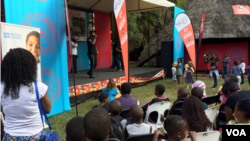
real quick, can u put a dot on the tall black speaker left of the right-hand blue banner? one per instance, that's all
(167, 56)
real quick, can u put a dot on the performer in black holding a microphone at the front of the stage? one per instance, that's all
(92, 52)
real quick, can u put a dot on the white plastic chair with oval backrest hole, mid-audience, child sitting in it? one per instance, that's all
(160, 108)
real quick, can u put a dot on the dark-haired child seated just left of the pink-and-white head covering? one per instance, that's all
(182, 94)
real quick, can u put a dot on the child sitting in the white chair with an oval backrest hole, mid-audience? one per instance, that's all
(159, 91)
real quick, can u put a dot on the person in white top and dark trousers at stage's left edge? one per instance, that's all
(74, 54)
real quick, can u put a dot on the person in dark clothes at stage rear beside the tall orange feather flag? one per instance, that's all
(117, 56)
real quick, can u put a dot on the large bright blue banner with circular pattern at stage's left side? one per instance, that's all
(49, 16)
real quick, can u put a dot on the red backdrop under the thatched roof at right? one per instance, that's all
(235, 51)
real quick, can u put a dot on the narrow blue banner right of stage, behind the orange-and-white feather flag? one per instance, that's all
(178, 42)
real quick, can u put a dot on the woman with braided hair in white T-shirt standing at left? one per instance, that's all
(18, 72)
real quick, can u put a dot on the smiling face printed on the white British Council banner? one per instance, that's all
(33, 44)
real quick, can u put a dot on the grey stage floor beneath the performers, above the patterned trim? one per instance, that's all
(106, 73)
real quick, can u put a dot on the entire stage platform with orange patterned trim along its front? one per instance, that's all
(87, 88)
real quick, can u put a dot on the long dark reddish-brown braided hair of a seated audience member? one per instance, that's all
(194, 113)
